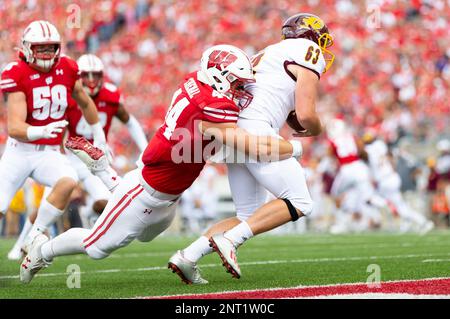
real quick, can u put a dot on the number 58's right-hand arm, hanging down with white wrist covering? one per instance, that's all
(90, 114)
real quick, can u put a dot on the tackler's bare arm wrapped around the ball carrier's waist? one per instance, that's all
(261, 148)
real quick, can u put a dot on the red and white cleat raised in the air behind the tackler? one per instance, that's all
(94, 158)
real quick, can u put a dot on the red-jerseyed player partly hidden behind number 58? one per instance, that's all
(109, 103)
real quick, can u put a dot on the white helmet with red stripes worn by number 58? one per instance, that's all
(37, 34)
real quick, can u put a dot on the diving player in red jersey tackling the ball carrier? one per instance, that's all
(203, 113)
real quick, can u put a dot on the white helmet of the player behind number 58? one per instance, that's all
(91, 68)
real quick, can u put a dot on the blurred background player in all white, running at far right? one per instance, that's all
(388, 184)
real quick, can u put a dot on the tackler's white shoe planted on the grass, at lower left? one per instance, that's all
(33, 262)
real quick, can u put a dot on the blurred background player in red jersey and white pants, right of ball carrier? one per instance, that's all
(352, 187)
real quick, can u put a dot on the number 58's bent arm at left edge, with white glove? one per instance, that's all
(17, 126)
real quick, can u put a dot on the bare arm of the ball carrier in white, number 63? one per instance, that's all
(305, 99)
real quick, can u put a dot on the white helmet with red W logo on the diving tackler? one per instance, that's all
(227, 69)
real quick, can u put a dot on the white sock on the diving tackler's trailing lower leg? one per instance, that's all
(68, 243)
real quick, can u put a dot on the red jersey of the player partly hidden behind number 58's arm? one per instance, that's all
(107, 102)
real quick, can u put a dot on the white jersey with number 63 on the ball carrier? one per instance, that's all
(274, 89)
